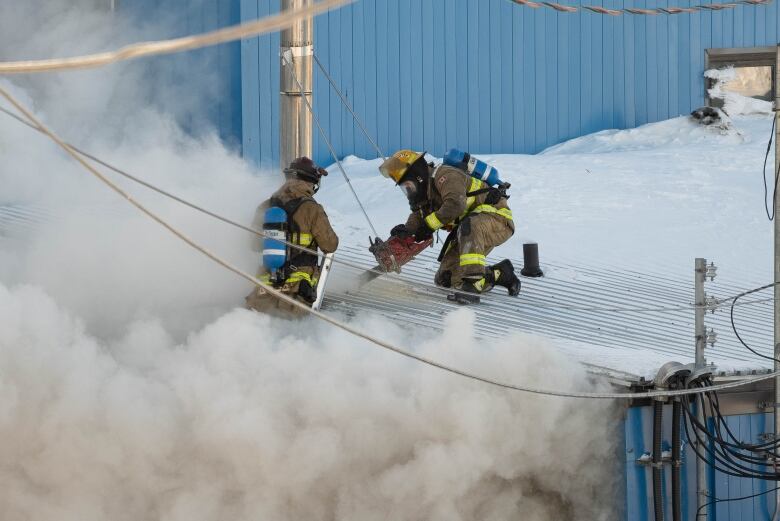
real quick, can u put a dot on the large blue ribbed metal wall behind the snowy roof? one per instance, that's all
(491, 76)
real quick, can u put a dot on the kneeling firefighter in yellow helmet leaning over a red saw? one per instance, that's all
(476, 215)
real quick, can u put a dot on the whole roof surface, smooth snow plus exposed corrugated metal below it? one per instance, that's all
(620, 217)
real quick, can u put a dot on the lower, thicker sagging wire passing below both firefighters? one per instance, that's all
(344, 326)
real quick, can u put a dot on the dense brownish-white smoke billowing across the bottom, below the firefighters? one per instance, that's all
(253, 418)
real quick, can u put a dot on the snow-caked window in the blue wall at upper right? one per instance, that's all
(747, 71)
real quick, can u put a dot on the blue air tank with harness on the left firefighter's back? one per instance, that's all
(282, 260)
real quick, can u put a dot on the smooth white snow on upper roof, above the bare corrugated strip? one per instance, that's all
(654, 197)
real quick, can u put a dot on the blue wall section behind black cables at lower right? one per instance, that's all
(638, 478)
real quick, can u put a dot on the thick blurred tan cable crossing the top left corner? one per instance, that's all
(187, 43)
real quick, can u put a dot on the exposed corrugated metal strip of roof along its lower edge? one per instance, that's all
(596, 313)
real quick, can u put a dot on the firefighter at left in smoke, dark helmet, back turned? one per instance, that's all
(292, 215)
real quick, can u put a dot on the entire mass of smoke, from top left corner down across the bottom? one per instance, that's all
(132, 388)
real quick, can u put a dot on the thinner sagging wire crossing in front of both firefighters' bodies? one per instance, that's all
(261, 234)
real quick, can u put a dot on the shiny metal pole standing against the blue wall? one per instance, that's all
(295, 121)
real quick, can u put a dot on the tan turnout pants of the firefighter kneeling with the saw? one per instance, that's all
(476, 237)
